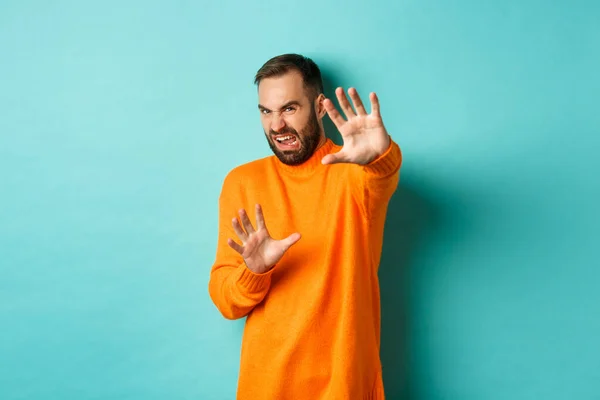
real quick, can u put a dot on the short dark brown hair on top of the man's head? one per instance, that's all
(281, 64)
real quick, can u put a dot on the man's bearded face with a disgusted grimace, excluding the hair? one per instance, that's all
(289, 118)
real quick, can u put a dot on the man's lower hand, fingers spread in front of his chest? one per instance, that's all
(259, 250)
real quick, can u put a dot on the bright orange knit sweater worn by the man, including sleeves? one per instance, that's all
(313, 321)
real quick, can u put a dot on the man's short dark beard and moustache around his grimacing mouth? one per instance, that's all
(309, 139)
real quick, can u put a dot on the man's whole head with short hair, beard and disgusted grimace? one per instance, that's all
(290, 100)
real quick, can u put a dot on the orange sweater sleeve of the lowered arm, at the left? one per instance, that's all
(233, 287)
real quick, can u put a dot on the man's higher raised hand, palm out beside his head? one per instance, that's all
(364, 135)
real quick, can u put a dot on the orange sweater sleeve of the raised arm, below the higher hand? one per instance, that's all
(375, 183)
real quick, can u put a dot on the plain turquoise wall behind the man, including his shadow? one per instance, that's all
(119, 120)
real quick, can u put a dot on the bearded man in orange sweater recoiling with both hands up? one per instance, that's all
(304, 273)
